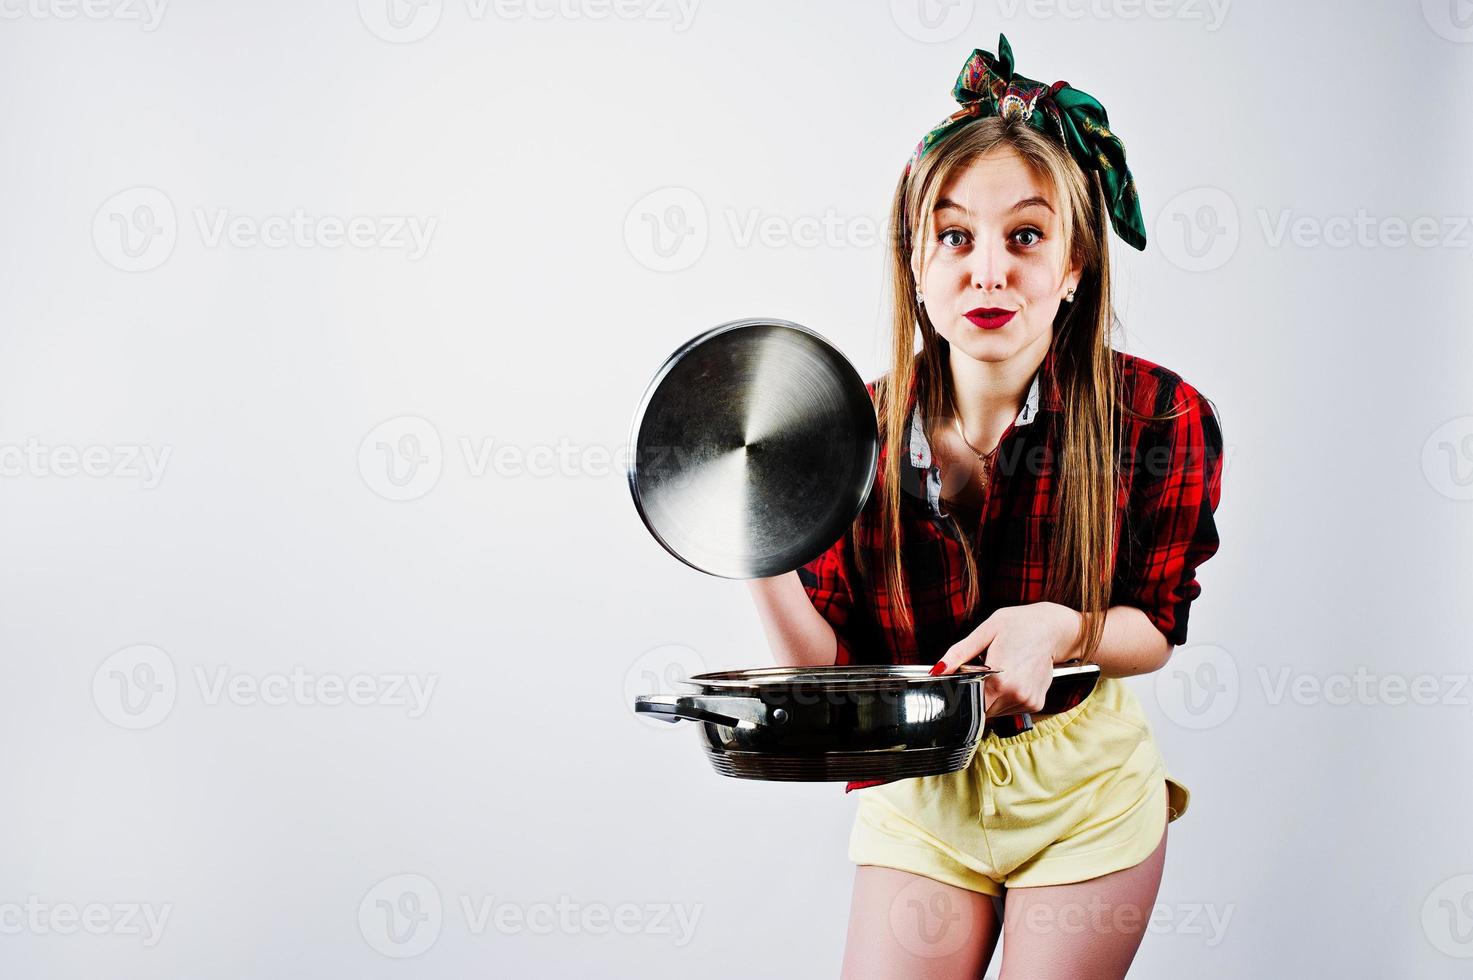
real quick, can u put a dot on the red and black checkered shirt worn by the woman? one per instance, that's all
(1170, 489)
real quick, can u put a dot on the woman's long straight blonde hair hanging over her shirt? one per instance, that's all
(1083, 550)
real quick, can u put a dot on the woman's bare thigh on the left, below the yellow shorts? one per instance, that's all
(905, 925)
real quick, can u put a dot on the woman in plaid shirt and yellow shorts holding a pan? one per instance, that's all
(1041, 500)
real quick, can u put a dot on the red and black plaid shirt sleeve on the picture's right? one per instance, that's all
(1169, 528)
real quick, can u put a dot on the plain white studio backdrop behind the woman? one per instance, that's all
(546, 144)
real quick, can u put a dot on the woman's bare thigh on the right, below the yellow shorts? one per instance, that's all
(1085, 931)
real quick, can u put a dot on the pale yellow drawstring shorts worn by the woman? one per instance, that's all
(1083, 794)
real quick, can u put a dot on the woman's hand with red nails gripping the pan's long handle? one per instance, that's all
(1023, 645)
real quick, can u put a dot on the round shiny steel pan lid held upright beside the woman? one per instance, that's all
(753, 450)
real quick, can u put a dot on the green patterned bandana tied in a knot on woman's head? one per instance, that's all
(988, 86)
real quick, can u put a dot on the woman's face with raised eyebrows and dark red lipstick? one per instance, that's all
(998, 245)
